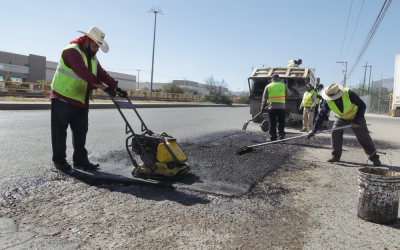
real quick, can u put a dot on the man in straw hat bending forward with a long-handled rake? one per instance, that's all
(349, 109)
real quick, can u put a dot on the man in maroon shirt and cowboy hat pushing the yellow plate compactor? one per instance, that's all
(78, 74)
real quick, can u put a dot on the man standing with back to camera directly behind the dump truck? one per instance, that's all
(275, 94)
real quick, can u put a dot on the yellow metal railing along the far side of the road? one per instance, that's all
(43, 90)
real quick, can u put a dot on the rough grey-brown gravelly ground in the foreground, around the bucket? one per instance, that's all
(306, 203)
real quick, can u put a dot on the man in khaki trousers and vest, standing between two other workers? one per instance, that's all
(309, 102)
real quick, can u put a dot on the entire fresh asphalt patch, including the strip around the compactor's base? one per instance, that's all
(215, 167)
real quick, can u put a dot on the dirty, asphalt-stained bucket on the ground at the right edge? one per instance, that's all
(378, 195)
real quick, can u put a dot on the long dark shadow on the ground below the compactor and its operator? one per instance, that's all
(145, 189)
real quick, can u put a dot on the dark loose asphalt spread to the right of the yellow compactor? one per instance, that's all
(216, 160)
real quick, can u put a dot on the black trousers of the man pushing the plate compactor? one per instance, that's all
(62, 115)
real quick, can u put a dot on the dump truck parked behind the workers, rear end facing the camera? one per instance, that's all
(296, 79)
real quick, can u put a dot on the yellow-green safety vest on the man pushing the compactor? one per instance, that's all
(67, 83)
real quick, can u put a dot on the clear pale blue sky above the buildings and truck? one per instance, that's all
(196, 39)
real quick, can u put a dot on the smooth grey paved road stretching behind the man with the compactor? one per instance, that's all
(25, 143)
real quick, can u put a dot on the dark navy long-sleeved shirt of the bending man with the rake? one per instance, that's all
(354, 98)
